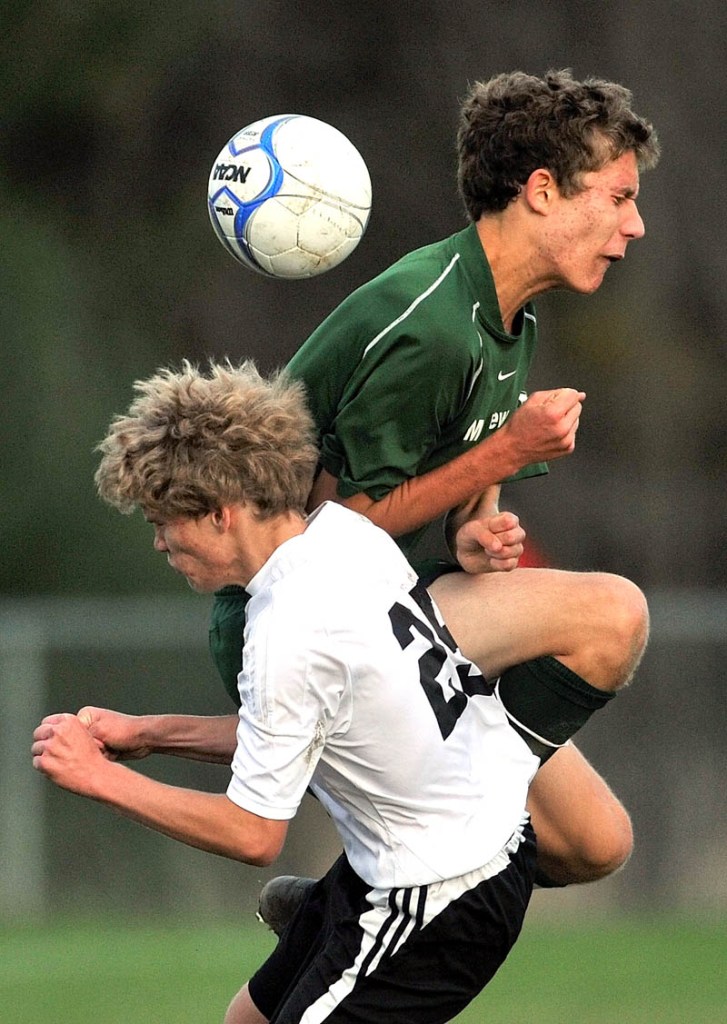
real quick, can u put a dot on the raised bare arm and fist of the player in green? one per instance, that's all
(541, 431)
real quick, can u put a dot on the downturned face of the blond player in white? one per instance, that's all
(194, 548)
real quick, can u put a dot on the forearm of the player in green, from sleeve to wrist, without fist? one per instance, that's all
(419, 501)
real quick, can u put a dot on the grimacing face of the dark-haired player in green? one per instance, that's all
(591, 231)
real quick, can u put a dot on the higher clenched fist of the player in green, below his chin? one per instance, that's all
(544, 428)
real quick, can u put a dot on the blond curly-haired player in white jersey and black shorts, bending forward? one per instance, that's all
(353, 688)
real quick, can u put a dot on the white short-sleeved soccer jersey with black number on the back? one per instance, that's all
(352, 686)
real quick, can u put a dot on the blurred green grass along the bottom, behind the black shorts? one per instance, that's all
(670, 972)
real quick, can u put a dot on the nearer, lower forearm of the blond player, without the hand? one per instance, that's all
(205, 821)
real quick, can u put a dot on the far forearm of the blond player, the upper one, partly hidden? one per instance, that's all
(195, 737)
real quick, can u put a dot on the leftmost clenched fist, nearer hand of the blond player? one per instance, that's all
(65, 752)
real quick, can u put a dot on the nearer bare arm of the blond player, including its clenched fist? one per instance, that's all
(65, 751)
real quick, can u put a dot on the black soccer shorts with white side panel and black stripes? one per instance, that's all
(354, 955)
